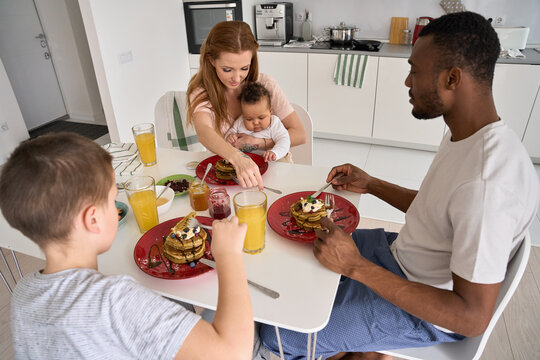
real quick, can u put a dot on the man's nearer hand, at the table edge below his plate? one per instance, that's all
(336, 249)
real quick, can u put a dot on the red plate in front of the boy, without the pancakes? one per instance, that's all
(155, 236)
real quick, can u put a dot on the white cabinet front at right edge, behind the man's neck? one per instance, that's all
(514, 92)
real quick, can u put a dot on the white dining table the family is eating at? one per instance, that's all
(306, 288)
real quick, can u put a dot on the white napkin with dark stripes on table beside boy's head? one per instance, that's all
(125, 160)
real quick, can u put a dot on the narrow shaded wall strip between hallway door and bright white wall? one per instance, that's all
(62, 22)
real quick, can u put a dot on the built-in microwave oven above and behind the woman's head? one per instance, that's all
(202, 15)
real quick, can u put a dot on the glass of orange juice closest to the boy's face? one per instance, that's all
(141, 192)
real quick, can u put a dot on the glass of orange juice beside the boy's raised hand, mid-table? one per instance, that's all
(250, 208)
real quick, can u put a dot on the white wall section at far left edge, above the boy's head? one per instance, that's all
(10, 114)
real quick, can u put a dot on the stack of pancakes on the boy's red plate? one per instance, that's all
(185, 244)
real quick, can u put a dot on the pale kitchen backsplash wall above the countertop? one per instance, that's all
(373, 16)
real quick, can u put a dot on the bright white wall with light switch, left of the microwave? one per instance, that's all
(155, 35)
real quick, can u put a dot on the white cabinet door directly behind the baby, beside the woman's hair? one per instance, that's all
(290, 72)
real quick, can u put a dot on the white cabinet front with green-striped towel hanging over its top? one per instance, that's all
(340, 110)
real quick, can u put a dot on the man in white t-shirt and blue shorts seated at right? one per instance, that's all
(438, 280)
